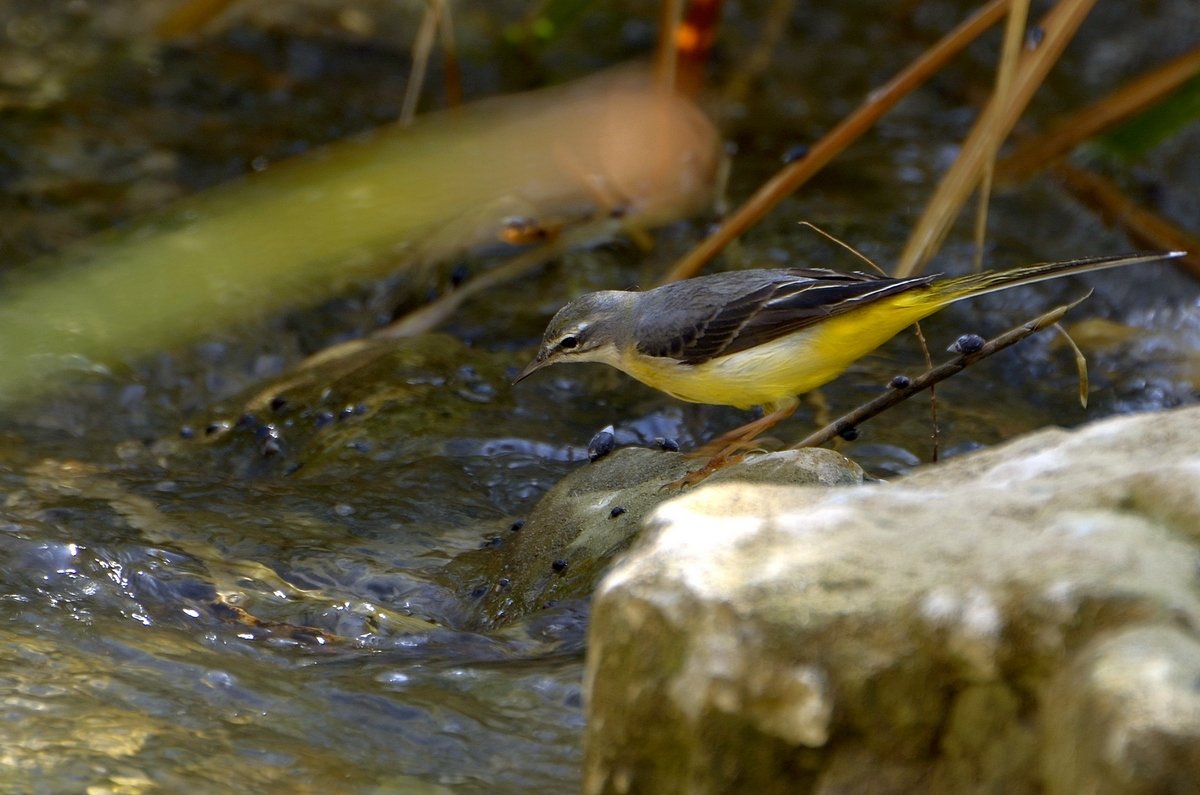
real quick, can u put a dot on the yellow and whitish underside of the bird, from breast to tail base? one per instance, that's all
(776, 373)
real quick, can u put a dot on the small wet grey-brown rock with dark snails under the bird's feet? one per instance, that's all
(590, 517)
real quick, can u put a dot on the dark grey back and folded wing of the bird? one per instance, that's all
(723, 314)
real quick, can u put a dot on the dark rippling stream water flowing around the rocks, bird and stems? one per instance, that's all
(214, 579)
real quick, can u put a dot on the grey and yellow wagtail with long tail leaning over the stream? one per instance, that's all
(764, 338)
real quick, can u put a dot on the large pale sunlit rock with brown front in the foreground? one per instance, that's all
(1019, 620)
